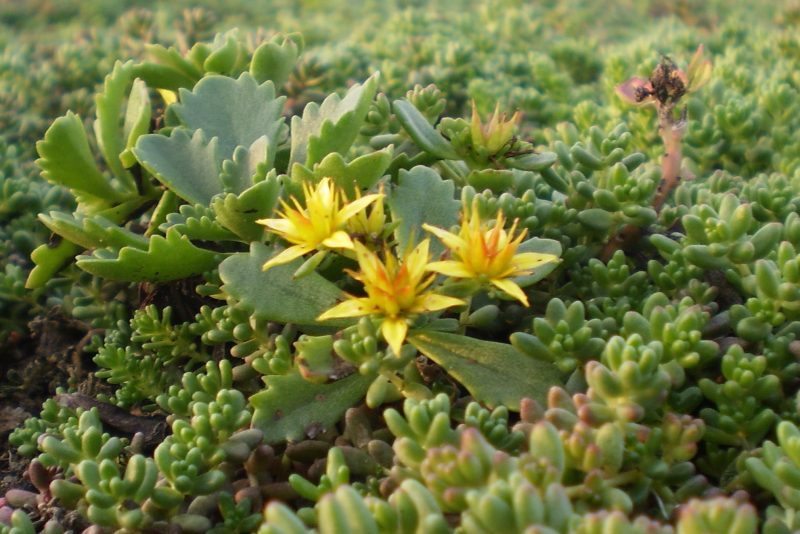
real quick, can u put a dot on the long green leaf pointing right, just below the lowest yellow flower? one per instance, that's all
(494, 373)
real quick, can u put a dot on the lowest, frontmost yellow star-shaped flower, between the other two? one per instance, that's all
(396, 291)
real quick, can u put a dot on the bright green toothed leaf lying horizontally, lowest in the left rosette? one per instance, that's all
(167, 258)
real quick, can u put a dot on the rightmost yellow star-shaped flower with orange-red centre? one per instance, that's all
(488, 255)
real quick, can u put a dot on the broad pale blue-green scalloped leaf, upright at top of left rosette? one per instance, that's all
(235, 111)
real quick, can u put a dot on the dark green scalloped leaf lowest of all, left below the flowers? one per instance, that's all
(292, 408)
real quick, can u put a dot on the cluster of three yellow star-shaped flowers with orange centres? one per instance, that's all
(398, 289)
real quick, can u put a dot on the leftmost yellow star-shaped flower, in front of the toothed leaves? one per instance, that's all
(318, 226)
